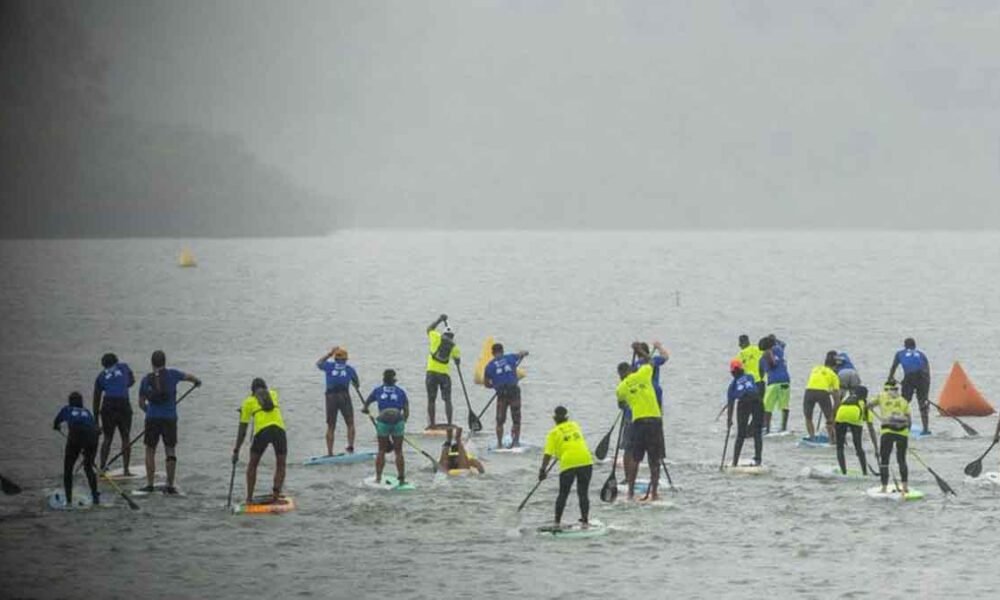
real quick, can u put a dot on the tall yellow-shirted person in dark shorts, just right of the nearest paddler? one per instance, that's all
(636, 390)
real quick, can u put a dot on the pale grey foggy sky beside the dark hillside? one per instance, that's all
(586, 114)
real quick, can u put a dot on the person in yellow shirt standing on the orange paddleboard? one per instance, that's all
(268, 430)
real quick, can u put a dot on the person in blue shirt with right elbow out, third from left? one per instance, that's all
(158, 399)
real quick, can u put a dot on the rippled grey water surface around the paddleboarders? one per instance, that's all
(269, 308)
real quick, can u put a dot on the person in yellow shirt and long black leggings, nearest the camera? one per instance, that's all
(565, 443)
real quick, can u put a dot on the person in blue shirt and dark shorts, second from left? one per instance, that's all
(111, 403)
